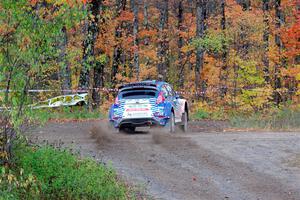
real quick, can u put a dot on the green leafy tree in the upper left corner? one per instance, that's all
(30, 45)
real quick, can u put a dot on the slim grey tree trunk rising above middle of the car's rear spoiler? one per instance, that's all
(135, 39)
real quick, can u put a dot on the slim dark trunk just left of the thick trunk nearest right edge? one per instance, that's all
(266, 34)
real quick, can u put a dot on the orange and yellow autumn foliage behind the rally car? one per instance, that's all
(251, 55)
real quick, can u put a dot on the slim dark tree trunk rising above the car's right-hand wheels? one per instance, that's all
(180, 44)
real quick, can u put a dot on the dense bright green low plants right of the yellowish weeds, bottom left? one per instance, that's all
(62, 175)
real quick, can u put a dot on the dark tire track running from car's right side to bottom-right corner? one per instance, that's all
(236, 180)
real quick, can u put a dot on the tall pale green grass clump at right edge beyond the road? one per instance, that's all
(279, 119)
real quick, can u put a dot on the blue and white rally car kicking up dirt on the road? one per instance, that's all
(148, 103)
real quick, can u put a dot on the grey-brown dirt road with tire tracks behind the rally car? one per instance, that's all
(196, 165)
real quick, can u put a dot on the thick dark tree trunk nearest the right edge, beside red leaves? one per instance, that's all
(279, 23)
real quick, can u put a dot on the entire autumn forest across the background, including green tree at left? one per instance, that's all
(227, 57)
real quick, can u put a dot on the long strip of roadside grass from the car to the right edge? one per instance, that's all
(285, 118)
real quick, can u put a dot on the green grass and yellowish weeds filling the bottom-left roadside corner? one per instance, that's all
(49, 173)
